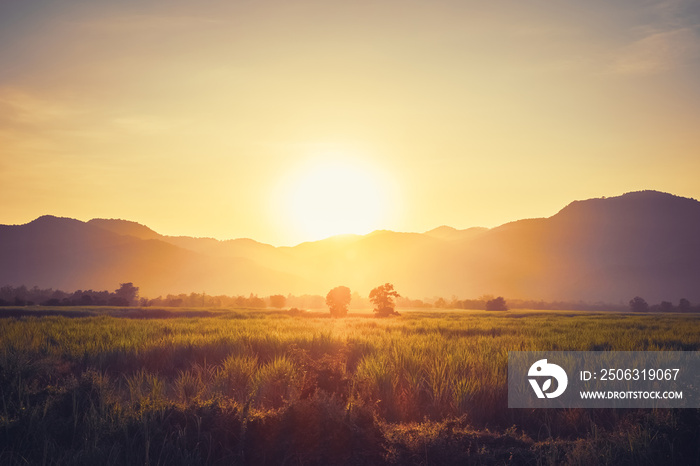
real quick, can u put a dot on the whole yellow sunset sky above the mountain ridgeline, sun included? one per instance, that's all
(288, 121)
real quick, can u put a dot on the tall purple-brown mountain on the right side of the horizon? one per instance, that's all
(645, 243)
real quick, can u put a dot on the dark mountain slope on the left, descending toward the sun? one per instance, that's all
(69, 254)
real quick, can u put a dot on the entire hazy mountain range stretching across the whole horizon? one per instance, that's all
(610, 249)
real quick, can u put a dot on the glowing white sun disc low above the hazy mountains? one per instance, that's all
(333, 195)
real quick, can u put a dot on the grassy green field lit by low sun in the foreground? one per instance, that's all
(212, 386)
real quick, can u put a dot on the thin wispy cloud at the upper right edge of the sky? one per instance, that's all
(658, 52)
